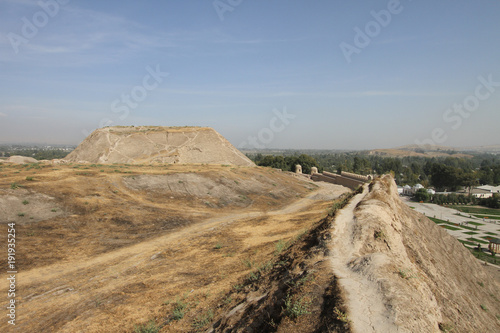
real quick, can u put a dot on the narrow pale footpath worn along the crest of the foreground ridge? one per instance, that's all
(364, 299)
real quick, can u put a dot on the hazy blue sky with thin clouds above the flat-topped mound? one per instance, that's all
(321, 74)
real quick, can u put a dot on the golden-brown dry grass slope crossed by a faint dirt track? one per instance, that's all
(116, 258)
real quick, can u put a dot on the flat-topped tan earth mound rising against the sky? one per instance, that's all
(144, 145)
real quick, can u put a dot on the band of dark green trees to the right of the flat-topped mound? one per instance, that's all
(444, 174)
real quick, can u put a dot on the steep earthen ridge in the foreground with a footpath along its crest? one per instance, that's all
(377, 266)
